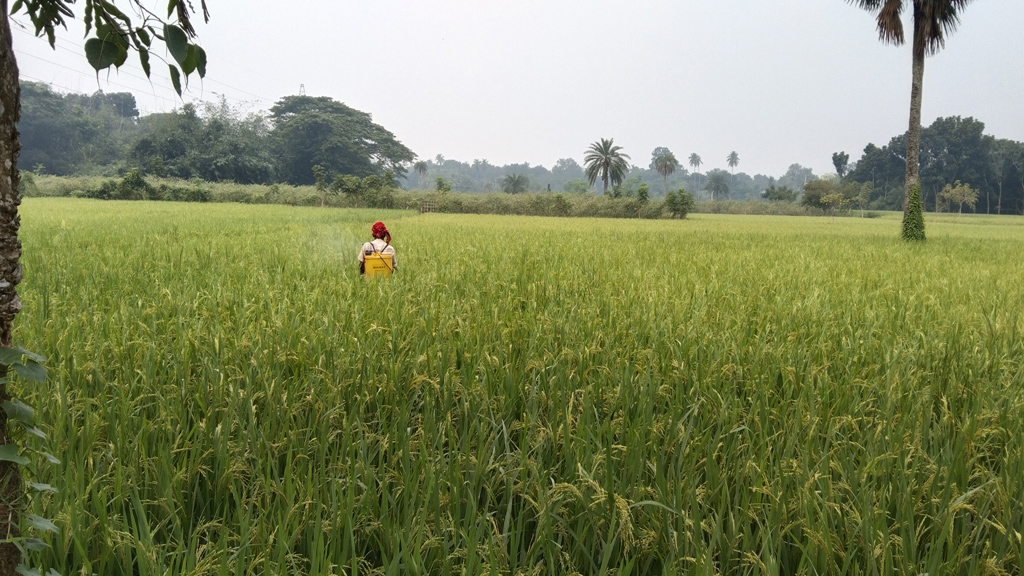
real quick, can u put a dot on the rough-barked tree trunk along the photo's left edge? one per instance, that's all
(11, 276)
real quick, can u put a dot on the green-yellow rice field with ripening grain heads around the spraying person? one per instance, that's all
(722, 395)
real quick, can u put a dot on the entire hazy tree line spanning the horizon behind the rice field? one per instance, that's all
(104, 135)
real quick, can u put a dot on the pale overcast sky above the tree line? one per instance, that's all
(780, 83)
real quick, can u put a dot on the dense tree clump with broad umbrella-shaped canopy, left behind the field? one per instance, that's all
(77, 135)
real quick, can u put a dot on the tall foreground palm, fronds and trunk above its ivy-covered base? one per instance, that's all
(933, 20)
